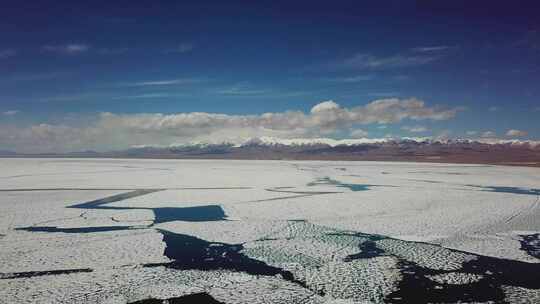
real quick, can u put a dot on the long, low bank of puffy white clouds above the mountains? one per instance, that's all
(110, 131)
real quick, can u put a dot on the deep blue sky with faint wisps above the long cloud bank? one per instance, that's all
(65, 63)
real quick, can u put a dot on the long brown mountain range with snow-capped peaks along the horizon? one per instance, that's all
(522, 153)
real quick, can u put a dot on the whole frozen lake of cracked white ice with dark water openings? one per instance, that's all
(196, 231)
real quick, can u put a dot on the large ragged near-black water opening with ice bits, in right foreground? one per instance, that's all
(416, 286)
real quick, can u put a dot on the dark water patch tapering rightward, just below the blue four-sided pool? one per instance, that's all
(189, 252)
